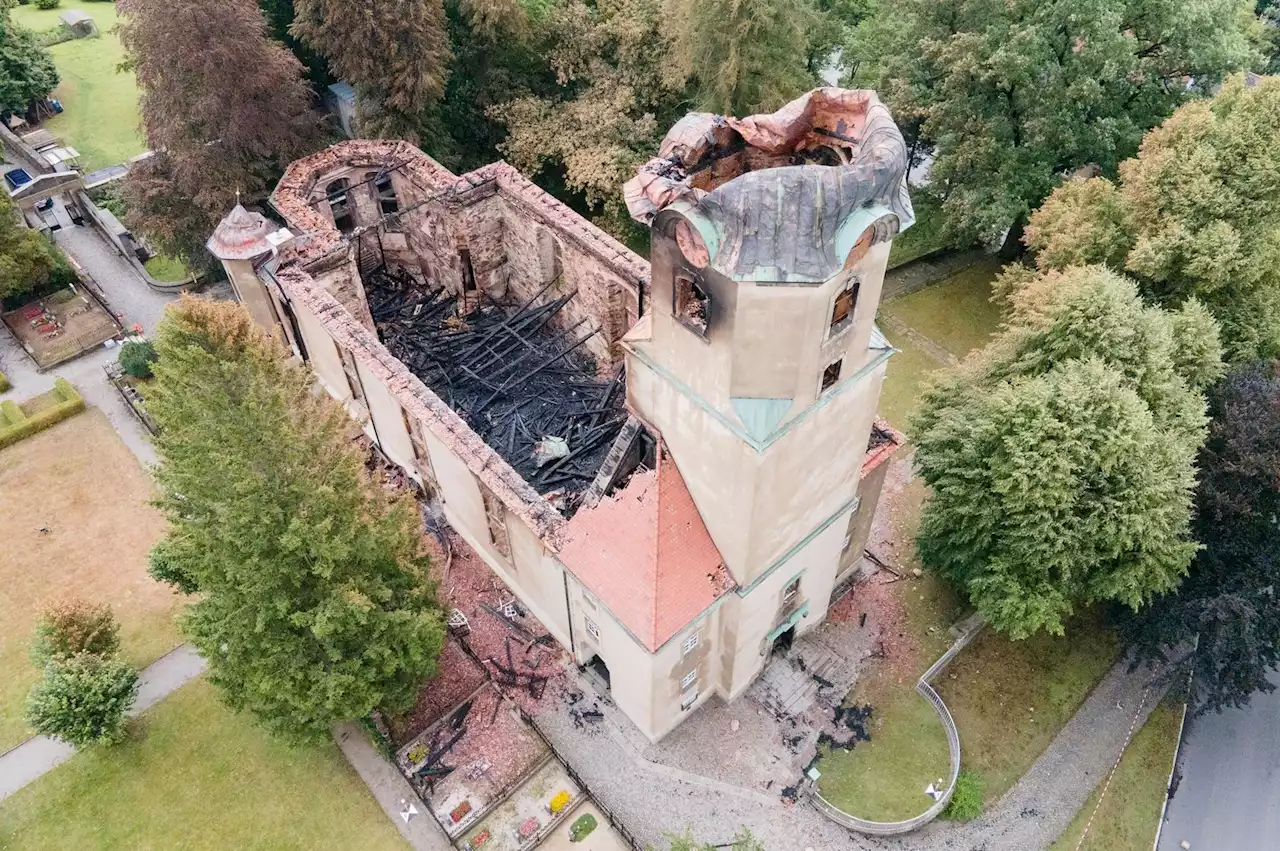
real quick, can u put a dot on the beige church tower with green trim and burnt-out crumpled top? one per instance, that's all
(760, 363)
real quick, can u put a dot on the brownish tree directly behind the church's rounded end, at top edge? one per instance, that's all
(396, 53)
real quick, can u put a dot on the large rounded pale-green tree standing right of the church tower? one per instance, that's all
(1062, 457)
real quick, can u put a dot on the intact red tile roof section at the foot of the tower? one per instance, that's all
(647, 556)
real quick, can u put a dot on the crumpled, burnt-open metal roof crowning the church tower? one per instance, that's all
(771, 195)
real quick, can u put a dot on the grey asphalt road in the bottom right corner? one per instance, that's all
(1229, 798)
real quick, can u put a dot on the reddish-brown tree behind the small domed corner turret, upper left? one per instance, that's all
(223, 108)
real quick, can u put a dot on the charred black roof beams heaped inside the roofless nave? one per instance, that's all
(516, 374)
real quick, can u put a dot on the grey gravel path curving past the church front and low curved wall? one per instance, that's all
(657, 800)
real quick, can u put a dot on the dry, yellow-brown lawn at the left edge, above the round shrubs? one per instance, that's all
(83, 482)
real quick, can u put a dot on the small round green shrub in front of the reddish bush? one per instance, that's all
(83, 701)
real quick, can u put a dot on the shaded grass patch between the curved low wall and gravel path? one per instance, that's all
(1011, 698)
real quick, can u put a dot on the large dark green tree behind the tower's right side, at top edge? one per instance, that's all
(1014, 94)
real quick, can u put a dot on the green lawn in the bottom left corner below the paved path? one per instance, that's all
(195, 776)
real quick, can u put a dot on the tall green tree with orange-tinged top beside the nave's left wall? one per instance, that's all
(314, 603)
